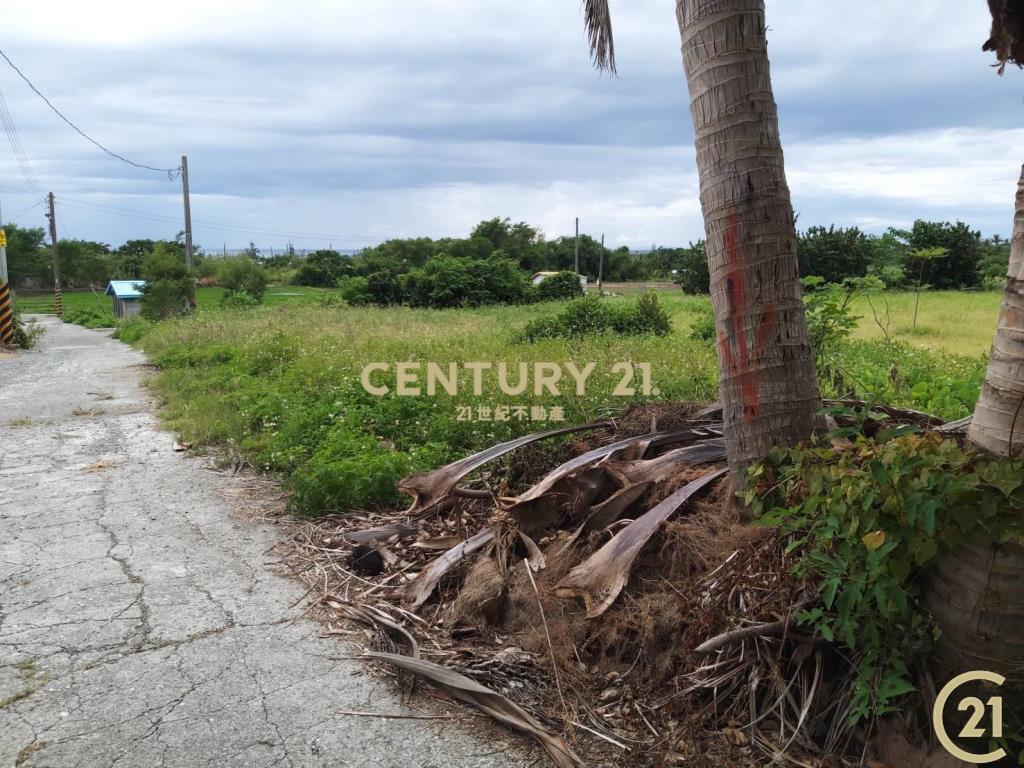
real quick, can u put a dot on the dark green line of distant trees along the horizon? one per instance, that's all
(495, 263)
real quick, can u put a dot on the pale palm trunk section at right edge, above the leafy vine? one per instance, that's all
(999, 418)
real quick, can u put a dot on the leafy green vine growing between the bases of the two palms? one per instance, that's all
(866, 524)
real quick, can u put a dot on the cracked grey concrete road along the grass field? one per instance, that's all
(139, 623)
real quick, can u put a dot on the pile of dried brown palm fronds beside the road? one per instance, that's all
(616, 605)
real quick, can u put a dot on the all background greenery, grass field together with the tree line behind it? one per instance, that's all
(273, 373)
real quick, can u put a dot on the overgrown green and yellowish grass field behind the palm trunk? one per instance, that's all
(281, 385)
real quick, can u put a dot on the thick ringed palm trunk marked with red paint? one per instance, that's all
(767, 380)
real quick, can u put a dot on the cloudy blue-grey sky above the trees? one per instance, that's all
(348, 121)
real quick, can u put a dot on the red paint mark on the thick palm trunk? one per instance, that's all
(737, 353)
